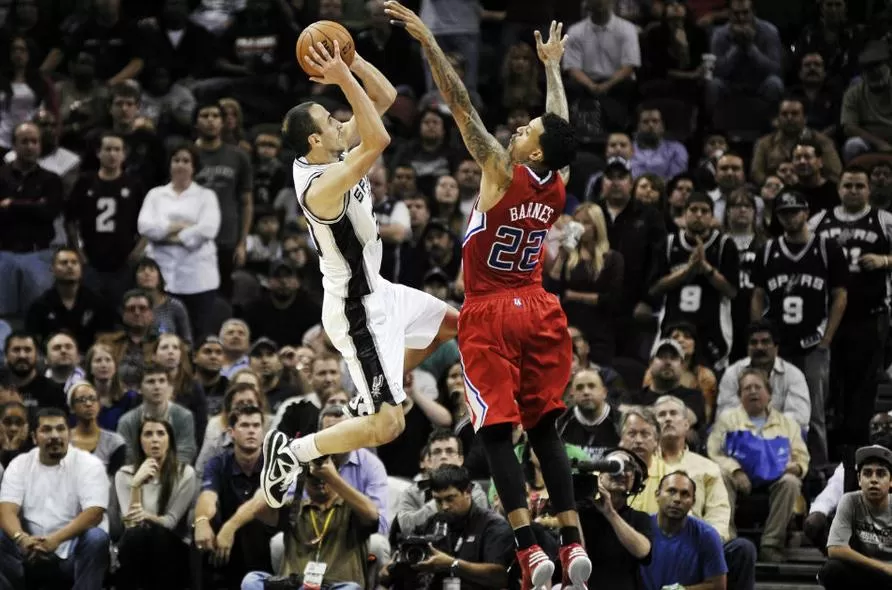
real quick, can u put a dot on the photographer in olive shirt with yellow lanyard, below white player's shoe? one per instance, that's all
(326, 535)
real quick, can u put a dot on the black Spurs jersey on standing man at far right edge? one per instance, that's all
(866, 232)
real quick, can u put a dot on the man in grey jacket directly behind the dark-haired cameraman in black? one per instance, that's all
(416, 504)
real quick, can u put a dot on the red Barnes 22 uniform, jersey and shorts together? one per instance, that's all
(512, 334)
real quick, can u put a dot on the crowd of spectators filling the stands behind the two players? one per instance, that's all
(160, 296)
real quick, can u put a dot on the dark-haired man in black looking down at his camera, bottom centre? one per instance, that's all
(461, 542)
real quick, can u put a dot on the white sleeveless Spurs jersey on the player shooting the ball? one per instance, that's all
(349, 247)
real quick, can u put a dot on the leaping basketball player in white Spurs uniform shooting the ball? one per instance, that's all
(371, 321)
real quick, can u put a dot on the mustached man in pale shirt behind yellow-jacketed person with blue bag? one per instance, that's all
(789, 390)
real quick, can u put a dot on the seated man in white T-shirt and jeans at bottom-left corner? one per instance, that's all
(52, 512)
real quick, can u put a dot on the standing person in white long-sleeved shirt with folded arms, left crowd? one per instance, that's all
(180, 220)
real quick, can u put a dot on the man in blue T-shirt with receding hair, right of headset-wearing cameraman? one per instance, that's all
(686, 550)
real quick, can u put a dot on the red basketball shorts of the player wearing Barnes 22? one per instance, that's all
(516, 354)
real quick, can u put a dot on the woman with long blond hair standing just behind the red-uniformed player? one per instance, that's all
(590, 280)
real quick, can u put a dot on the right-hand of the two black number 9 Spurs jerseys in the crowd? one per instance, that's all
(798, 280)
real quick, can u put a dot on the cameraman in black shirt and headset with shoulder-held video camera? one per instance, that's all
(618, 537)
